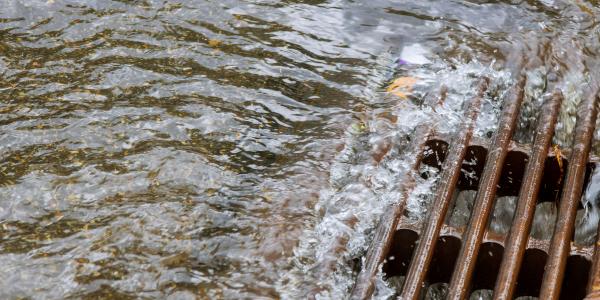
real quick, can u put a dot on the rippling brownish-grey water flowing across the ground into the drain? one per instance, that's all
(223, 149)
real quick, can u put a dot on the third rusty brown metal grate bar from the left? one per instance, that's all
(484, 202)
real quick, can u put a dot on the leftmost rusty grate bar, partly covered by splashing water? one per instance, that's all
(384, 233)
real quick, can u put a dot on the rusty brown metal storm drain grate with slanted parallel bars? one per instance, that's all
(458, 255)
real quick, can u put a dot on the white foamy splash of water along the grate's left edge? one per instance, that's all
(364, 182)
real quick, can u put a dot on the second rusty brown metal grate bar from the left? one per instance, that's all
(451, 172)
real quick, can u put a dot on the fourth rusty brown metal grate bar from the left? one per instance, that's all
(521, 225)
